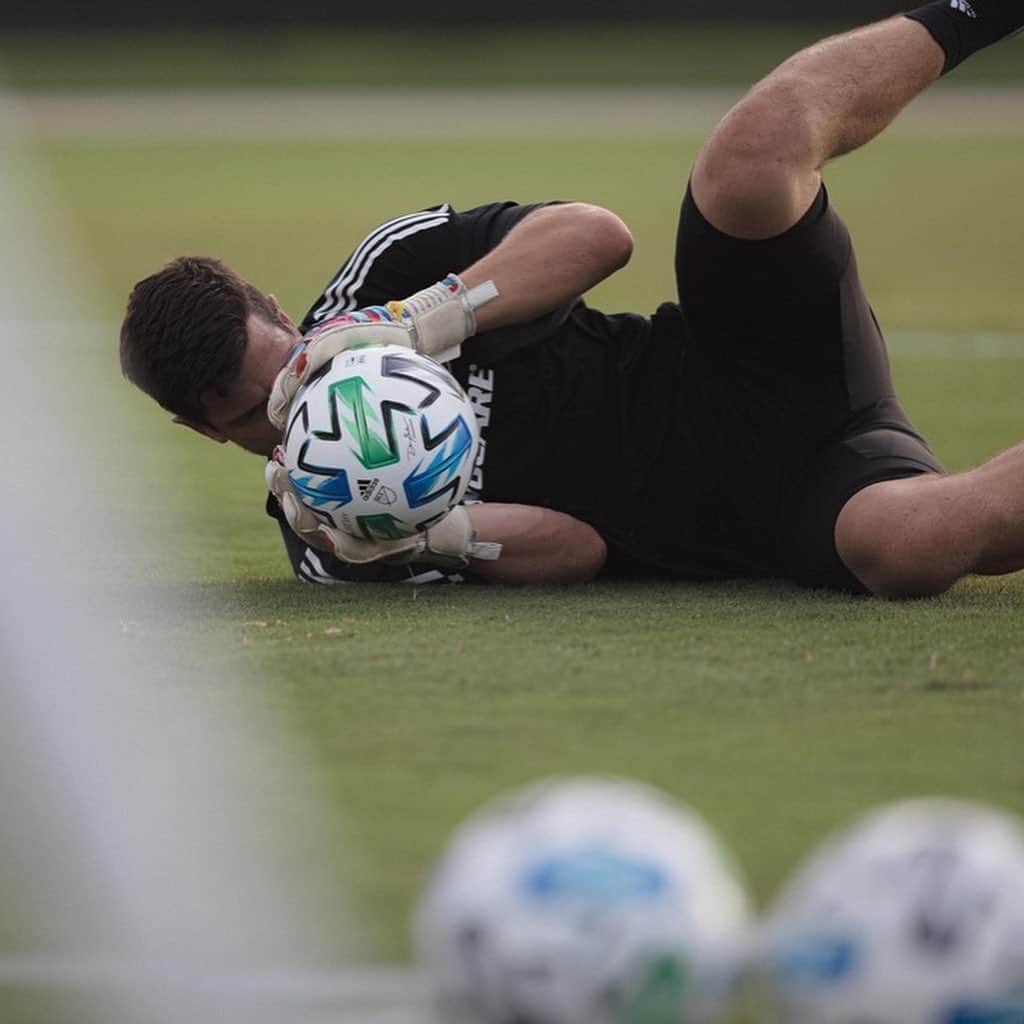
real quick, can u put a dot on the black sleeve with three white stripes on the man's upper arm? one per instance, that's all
(409, 253)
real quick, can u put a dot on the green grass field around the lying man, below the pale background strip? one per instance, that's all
(777, 713)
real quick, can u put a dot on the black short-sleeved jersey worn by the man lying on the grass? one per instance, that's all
(579, 412)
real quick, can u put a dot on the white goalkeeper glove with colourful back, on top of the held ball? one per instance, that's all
(435, 322)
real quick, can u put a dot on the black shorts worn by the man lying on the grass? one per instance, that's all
(791, 379)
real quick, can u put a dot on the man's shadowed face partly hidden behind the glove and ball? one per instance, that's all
(239, 414)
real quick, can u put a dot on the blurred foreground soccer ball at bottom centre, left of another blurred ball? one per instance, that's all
(583, 902)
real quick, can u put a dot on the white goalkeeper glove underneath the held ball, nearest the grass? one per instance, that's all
(449, 544)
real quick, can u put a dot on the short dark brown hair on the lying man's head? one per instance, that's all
(185, 332)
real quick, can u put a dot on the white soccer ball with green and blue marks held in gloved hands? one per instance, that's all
(381, 443)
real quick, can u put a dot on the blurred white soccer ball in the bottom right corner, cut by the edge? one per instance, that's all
(916, 916)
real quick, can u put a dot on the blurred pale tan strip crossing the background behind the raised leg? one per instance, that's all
(478, 114)
